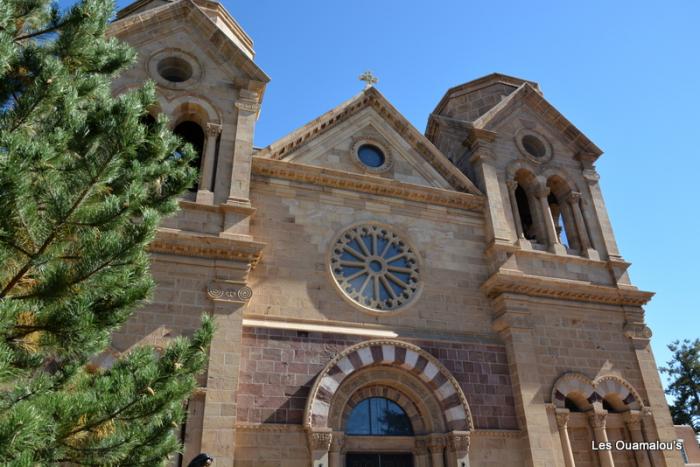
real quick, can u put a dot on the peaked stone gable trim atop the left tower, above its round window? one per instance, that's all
(209, 19)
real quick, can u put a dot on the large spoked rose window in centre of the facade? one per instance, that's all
(375, 268)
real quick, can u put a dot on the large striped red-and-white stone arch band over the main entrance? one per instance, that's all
(397, 354)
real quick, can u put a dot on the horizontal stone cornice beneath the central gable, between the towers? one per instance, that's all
(365, 183)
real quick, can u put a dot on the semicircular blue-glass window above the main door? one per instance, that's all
(377, 416)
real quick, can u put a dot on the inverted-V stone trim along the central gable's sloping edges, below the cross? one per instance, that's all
(370, 97)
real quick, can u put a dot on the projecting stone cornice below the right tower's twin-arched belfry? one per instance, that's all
(564, 289)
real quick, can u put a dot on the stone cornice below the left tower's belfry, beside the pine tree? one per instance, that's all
(177, 242)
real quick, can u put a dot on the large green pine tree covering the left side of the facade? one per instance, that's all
(84, 180)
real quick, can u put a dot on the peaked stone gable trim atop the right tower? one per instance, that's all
(531, 97)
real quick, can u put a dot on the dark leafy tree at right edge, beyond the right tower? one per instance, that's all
(684, 372)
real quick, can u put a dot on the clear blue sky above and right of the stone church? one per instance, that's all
(625, 73)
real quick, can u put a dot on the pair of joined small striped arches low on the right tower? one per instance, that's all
(595, 391)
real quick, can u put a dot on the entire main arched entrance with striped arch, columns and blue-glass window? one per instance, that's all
(387, 403)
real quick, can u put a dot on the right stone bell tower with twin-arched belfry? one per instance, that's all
(561, 299)
